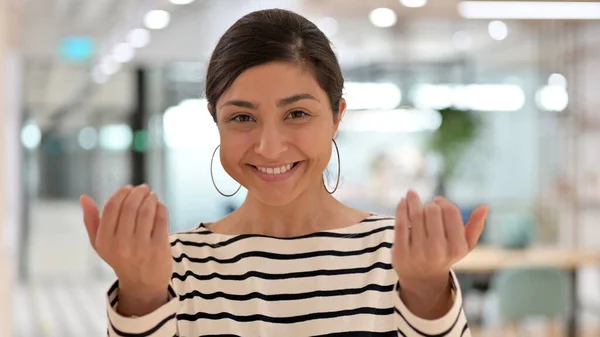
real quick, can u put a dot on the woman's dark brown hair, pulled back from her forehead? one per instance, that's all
(273, 35)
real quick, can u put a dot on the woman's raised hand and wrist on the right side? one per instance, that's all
(429, 240)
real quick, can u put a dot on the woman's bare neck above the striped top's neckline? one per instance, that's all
(310, 212)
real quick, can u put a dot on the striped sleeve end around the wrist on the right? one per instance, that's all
(453, 324)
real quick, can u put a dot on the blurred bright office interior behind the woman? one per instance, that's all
(483, 102)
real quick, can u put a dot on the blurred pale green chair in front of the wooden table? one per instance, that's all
(532, 292)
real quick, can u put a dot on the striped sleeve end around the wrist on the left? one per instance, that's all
(160, 323)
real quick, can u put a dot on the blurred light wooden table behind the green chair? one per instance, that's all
(489, 259)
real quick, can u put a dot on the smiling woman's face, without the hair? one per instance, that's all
(276, 128)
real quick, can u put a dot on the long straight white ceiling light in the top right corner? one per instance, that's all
(537, 10)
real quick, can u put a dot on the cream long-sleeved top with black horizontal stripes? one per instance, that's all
(330, 283)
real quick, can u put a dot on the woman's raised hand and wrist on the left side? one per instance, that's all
(132, 236)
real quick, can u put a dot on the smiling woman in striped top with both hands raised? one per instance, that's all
(291, 260)
